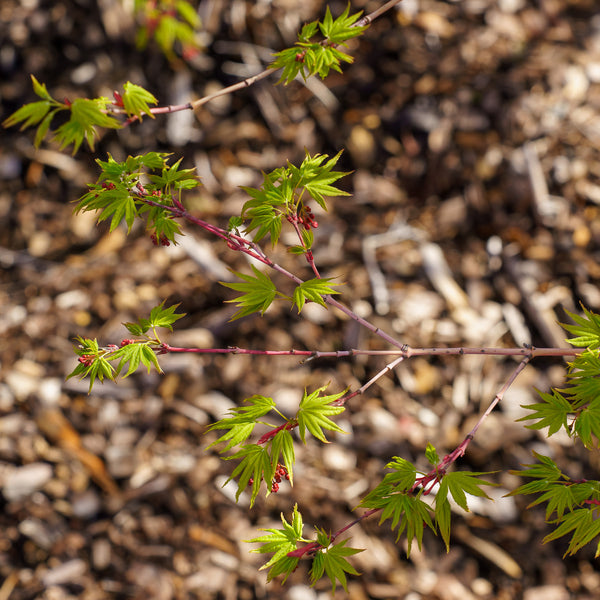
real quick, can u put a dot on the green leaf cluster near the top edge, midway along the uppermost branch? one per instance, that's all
(311, 57)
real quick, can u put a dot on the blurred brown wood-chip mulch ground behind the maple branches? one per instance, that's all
(472, 132)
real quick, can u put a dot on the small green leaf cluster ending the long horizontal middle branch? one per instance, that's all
(95, 361)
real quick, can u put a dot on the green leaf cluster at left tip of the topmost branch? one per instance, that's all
(86, 115)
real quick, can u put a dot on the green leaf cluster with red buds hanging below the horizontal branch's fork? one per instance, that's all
(258, 461)
